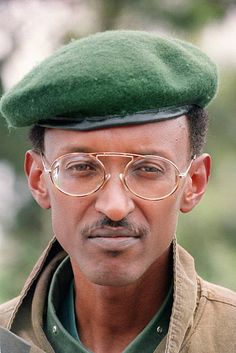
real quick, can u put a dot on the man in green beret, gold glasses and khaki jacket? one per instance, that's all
(118, 127)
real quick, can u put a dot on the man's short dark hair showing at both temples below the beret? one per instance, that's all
(197, 121)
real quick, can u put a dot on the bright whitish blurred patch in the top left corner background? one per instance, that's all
(35, 29)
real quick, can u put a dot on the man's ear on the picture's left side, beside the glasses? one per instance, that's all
(36, 178)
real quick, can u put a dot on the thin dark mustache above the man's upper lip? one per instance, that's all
(137, 229)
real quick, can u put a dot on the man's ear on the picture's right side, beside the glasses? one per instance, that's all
(196, 184)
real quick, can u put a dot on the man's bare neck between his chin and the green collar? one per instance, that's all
(107, 315)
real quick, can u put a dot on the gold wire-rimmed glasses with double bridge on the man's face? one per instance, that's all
(149, 177)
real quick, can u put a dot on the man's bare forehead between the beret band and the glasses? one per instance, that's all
(167, 138)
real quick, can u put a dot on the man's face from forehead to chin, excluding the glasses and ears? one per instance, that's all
(142, 241)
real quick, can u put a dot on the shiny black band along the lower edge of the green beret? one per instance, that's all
(99, 122)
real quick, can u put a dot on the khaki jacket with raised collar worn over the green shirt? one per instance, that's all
(203, 318)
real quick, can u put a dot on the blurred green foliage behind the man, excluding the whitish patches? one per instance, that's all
(208, 232)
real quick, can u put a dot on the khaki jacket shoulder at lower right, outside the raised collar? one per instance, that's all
(214, 322)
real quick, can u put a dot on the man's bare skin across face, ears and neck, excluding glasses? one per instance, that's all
(119, 283)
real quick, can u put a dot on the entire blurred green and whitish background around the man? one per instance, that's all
(32, 29)
